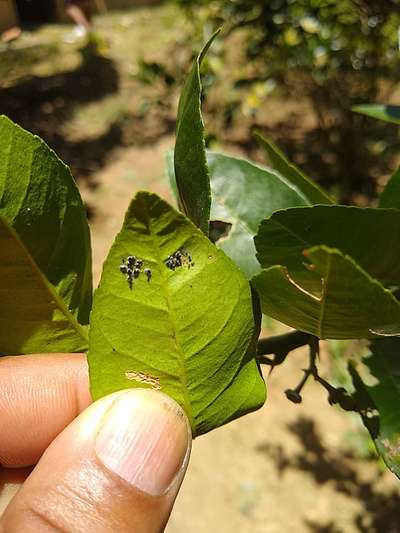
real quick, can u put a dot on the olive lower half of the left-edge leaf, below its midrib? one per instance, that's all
(33, 317)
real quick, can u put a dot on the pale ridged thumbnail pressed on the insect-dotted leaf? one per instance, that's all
(145, 439)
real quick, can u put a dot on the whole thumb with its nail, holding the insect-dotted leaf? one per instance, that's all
(117, 467)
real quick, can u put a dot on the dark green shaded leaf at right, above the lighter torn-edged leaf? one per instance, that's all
(370, 236)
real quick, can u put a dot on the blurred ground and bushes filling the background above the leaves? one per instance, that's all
(292, 69)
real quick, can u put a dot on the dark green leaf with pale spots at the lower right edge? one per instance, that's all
(378, 403)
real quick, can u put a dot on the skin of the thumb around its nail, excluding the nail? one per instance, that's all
(71, 490)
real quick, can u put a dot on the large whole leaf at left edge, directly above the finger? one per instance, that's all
(40, 203)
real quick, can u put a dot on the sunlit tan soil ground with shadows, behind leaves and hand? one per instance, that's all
(284, 468)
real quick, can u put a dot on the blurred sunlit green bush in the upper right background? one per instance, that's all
(322, 38)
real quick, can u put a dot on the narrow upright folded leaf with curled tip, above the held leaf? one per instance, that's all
(192, 176)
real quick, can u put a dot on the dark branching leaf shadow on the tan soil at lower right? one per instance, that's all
(380, 509)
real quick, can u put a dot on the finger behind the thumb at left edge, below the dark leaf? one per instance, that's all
(39, 396)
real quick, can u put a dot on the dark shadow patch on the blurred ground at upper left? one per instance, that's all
(43, 104)
